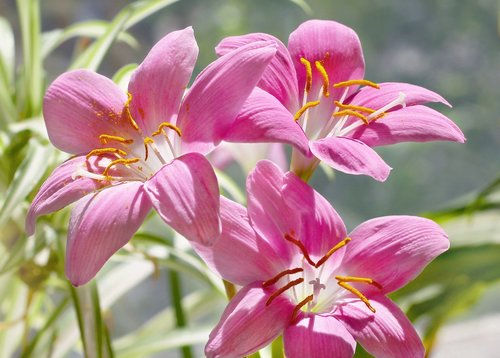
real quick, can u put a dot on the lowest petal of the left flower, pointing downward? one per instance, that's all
(100, 225)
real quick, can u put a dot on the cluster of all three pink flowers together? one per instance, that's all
(303, 276)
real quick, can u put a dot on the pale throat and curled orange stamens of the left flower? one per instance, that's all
(136, 160)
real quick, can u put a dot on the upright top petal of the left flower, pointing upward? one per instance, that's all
(158, 84)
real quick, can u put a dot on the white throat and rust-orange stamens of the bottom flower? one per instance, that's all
(311, 287)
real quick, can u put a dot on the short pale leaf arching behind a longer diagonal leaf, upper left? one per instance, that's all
(88, 29)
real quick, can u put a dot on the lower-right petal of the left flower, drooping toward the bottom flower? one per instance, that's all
(185, 193)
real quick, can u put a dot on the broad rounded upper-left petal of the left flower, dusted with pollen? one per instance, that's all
(79, 106)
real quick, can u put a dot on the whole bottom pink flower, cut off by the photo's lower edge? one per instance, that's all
(306, 278)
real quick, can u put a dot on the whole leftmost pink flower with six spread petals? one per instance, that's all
(142, 151)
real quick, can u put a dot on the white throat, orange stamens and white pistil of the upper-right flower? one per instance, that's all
(338, 118)
